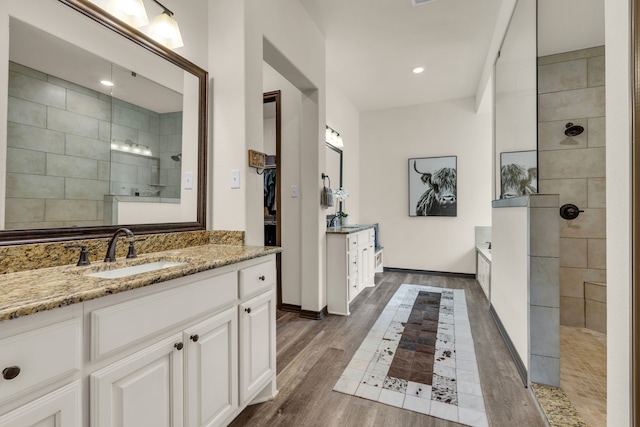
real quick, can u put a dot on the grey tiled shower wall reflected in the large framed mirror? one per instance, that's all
(59, 160)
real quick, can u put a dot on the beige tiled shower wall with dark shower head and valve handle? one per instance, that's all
(571, 89)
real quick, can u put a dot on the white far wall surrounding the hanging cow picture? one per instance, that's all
(388, 139)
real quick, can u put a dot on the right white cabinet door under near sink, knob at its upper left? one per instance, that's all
(212, 369)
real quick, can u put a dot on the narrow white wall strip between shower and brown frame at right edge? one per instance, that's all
(619, 261)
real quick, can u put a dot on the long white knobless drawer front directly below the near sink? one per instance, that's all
(117, 326)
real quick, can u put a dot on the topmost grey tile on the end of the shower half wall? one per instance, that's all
(544, 238)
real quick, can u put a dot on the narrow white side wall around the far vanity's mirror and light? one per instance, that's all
(344, 118)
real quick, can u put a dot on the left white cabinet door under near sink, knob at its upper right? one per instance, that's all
(144, 389)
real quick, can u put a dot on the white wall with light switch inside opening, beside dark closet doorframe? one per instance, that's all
(290, 175)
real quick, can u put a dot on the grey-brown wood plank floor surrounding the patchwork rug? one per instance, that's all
(311, 356)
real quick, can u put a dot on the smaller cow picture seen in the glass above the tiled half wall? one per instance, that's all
(518, 174)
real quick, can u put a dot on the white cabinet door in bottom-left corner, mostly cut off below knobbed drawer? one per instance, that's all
(60, 408)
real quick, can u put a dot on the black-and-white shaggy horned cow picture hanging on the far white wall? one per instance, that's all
(437, 195)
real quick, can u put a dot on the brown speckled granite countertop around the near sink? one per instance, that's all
(29, 292)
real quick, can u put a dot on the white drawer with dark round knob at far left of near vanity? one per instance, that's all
(42, 355)
